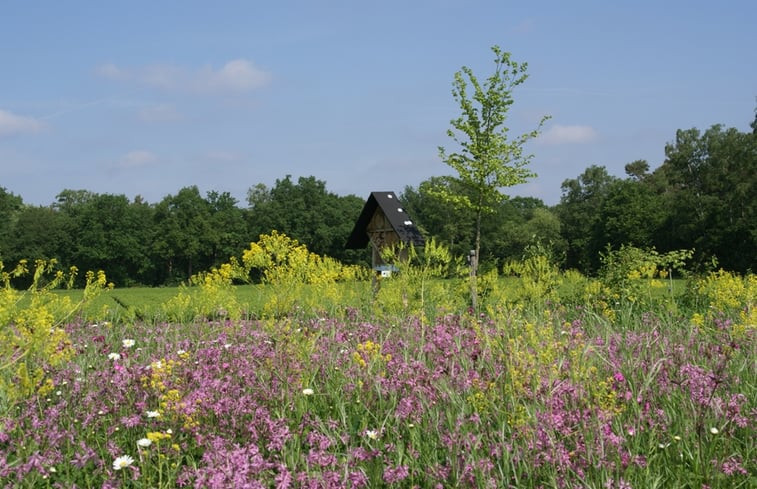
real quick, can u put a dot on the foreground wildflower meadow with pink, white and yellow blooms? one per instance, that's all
(534, 393)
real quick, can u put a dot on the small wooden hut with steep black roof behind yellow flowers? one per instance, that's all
(383, 222)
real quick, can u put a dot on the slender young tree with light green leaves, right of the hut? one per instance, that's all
(488, 159)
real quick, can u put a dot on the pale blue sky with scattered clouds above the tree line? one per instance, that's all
(144, 98)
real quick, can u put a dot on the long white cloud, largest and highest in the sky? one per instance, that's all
(236, 76)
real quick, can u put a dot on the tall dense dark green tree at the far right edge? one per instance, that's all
(712, 194)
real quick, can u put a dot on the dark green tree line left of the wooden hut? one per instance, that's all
(138, 243)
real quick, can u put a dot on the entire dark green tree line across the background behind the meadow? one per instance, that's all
(702, 197)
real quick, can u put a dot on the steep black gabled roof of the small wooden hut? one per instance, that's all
(395, 214)
